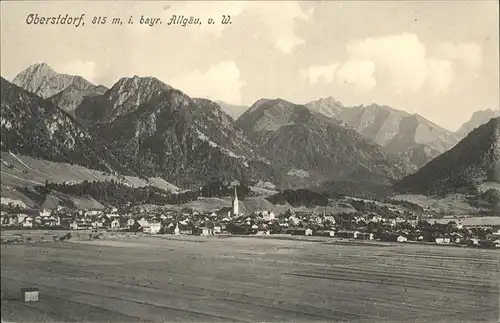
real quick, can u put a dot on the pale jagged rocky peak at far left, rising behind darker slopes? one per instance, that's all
(42, 80)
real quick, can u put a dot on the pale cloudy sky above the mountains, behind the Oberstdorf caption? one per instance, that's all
(437, 59)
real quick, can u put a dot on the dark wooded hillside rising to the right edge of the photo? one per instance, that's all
(474, 160)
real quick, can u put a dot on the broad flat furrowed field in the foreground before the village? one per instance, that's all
(188, 279)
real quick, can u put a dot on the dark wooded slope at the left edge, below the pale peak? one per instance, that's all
(37, 128)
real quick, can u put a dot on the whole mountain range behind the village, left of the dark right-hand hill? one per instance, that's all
(144, 127)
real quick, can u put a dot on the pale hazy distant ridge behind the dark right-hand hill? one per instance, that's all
(409, 136)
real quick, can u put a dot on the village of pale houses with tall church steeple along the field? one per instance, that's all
(229, 221)
